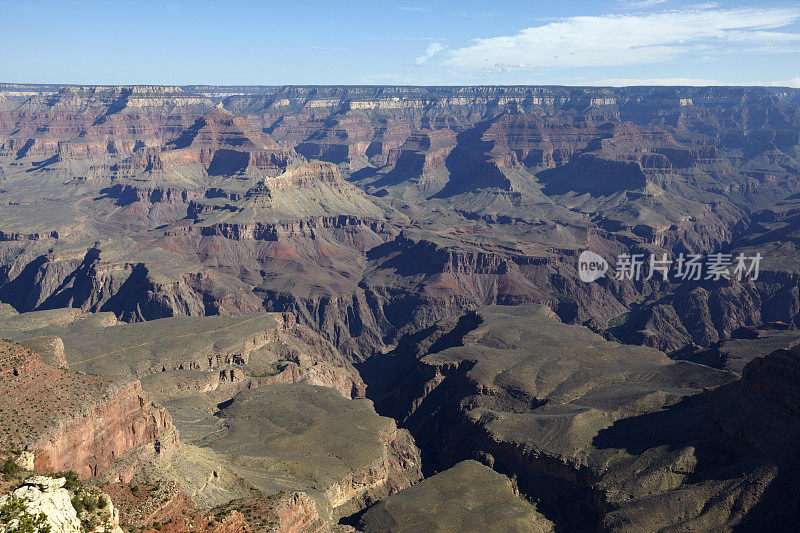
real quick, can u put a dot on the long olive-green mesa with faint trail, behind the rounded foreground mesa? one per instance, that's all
(220, 354)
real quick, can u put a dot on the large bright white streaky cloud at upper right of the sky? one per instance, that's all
(615, 40)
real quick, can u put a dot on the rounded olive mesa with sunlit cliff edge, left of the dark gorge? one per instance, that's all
(340, 447)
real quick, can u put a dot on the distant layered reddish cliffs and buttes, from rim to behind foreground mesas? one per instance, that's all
(163, 201)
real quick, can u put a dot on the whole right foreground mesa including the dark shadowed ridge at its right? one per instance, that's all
(628, 431)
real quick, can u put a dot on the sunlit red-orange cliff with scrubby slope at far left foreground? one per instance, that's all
(74, 422)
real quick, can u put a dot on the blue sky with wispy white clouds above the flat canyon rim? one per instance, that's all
(584, 42)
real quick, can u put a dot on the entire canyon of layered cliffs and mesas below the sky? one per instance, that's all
(318, 308)
